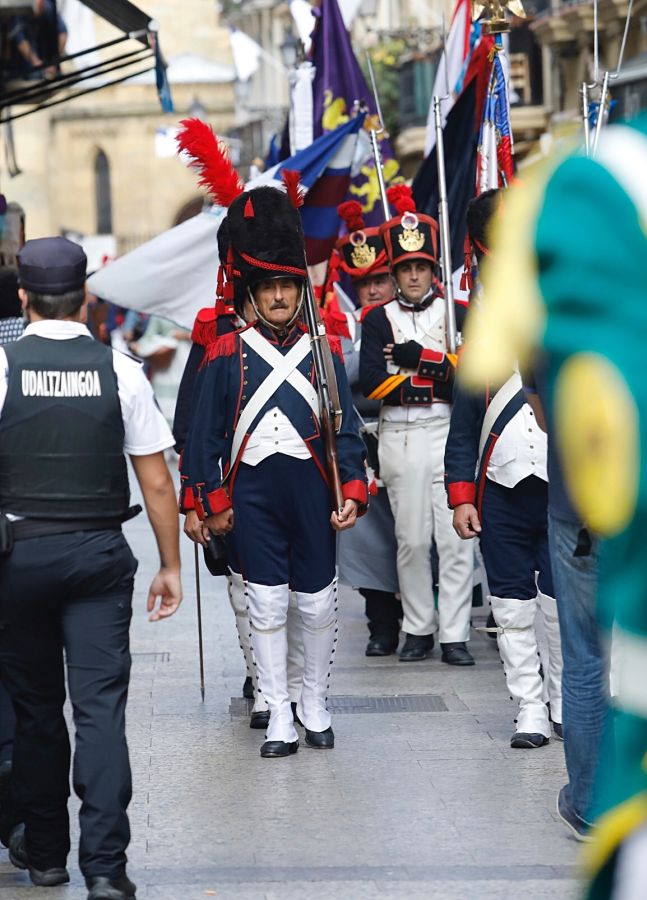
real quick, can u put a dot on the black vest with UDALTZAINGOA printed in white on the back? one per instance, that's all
(61, 432)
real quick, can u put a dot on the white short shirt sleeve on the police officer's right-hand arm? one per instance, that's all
(146, 429)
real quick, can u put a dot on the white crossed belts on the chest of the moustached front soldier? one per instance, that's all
(284, 368)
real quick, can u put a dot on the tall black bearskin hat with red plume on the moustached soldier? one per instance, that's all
(261, 235)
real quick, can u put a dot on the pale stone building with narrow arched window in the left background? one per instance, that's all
(105, 162)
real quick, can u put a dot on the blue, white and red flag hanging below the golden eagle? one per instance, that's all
(495, 166)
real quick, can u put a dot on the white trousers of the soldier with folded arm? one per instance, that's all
(412, 466)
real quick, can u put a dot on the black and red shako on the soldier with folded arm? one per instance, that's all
(408, 235)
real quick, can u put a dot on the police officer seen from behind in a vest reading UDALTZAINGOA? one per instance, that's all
(70, 409)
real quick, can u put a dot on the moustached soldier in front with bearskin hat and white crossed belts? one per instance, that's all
(256, 464)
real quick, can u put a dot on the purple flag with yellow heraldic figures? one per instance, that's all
(338, 83)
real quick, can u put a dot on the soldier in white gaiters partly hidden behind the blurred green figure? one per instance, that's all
(495, 434)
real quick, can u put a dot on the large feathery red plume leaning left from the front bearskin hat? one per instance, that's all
(211, 157)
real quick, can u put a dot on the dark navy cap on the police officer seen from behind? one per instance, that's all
(52, 266)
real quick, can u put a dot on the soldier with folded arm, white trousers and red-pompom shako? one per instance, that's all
(404, 364)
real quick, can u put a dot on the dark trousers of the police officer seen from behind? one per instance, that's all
(70, 593)
